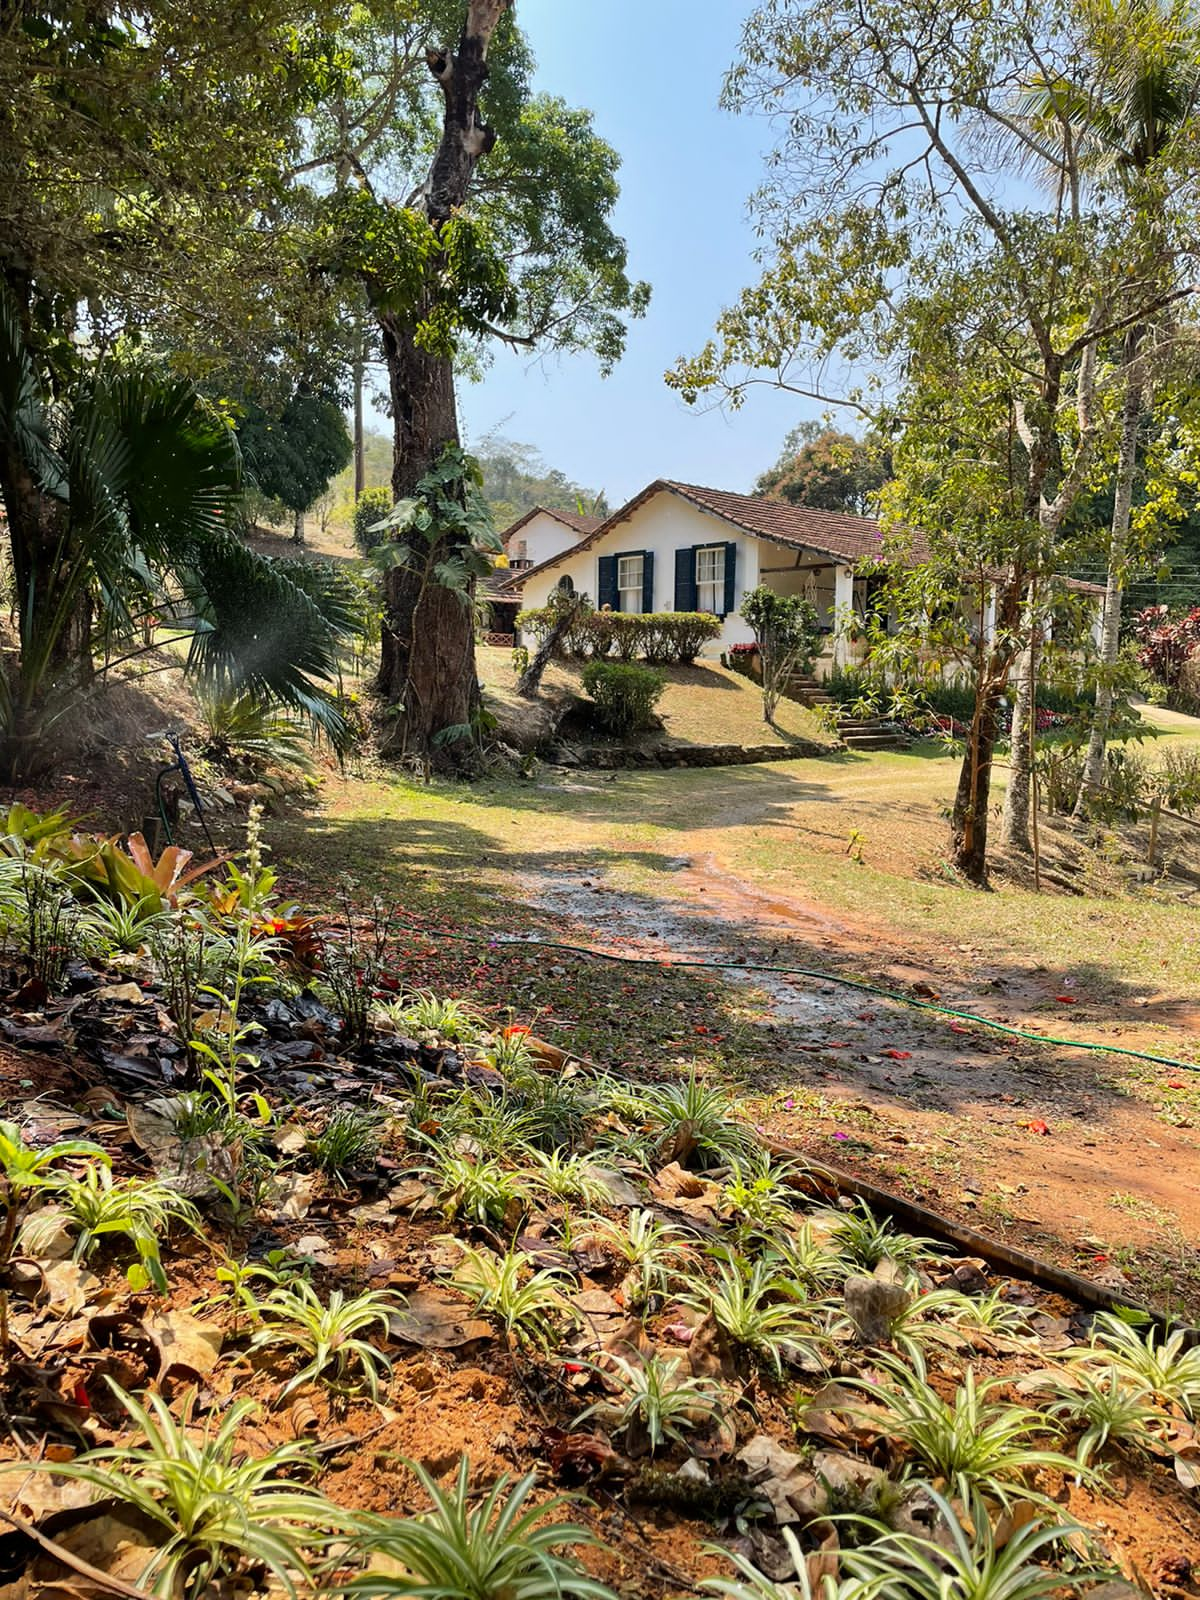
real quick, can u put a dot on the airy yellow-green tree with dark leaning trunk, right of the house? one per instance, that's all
(964, 327)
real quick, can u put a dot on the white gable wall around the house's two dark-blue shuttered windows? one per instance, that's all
(662, 526)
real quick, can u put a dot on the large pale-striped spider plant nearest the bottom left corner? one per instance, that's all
(220, 1510)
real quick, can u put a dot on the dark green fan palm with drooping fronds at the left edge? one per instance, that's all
(121, 498)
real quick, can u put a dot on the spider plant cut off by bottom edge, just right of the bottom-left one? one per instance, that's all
(505, 1550)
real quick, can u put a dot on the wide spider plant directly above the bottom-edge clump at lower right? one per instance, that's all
(972, 1442)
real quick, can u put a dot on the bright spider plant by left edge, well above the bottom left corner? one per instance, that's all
(103, 1207)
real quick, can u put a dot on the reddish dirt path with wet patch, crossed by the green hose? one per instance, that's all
(954, 1113)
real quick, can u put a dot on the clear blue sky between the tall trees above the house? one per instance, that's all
(652, 73)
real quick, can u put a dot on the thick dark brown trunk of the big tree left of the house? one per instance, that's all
(428, 665)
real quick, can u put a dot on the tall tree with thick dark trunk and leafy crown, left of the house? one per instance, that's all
(465, 226)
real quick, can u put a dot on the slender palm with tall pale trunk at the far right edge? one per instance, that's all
(1122, 124)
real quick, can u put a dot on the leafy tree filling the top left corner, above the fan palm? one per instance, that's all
(143, 206)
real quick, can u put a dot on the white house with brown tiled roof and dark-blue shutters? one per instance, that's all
(686, 548)
